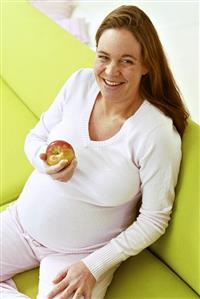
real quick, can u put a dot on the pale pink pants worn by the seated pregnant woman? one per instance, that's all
(19, 252)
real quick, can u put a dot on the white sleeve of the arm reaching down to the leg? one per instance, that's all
(159, 165)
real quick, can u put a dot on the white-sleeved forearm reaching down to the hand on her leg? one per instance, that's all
(142, 233)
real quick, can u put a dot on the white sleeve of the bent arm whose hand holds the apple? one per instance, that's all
(36, 140)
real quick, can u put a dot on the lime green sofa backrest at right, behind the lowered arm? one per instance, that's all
(180, 247)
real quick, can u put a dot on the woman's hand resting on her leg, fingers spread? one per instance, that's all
(75, 280)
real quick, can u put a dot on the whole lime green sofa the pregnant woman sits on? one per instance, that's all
(37, 56)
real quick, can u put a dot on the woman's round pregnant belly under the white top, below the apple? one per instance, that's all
(64, 222)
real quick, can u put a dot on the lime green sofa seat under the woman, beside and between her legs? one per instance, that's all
(142, 276)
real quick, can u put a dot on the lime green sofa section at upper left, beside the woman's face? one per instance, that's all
(37, 54)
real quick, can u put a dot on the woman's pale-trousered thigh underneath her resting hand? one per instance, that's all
(51, 265)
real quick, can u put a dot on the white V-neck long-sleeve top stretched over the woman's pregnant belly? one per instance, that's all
(95, 211)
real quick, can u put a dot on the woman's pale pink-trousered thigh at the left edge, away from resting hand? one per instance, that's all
(16, 254)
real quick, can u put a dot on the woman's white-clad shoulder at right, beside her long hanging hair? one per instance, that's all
(153, 132)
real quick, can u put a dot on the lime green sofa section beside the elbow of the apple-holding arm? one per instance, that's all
(15, 123)
